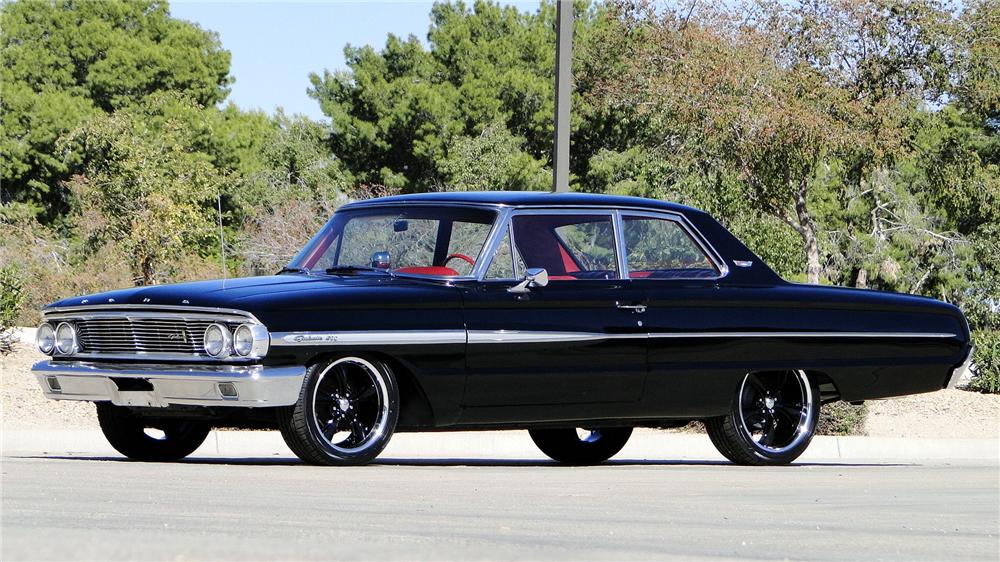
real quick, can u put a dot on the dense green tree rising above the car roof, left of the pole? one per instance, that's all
(397, 113)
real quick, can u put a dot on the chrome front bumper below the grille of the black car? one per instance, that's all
(164, 385)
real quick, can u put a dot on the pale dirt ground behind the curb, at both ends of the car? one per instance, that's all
(946, 413)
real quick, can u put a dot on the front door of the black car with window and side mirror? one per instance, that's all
(577, 340)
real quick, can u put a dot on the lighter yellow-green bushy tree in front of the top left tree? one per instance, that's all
(143, 188)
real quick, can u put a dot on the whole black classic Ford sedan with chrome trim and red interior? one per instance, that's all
(576, 317)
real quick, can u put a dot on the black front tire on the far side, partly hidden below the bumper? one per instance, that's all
(127, 434)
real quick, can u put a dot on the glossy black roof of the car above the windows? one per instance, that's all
(529, 199)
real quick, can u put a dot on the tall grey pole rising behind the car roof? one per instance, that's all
(564, 68)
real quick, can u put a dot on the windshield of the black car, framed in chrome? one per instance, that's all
(437, 241)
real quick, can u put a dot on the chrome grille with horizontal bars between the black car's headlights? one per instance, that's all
(123, 335)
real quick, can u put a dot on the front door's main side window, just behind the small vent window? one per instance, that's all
(567, 246)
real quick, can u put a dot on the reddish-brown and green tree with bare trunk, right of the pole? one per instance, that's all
(772, 93)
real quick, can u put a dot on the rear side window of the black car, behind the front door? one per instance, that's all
(662, 249)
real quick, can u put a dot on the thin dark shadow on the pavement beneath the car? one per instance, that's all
(458, 462)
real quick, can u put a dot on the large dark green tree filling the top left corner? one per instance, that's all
(67, 60)
